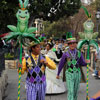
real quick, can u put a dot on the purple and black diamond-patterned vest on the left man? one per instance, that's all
(35, 74)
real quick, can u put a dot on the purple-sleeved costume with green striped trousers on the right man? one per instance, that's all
(72, 59)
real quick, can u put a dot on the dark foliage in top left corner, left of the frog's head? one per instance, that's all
(8, 9)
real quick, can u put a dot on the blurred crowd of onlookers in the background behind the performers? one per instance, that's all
(58, 46)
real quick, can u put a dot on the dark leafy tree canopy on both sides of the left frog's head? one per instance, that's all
(47, 9)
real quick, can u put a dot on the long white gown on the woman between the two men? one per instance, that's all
(54, 86)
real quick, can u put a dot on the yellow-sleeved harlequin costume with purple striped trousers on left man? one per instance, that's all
(36, 79)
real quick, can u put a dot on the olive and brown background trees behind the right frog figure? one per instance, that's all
(72, 23)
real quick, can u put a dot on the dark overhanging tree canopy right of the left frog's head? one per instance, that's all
(54, 9)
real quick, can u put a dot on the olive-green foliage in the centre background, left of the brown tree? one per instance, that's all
(57, 28)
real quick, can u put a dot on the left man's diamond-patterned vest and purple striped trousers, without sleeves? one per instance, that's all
(36, 80)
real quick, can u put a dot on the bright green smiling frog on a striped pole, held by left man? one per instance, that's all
(21, 32)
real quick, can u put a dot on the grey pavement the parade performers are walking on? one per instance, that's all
(11, 91)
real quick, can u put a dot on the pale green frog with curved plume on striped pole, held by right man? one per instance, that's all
(88, 39)
